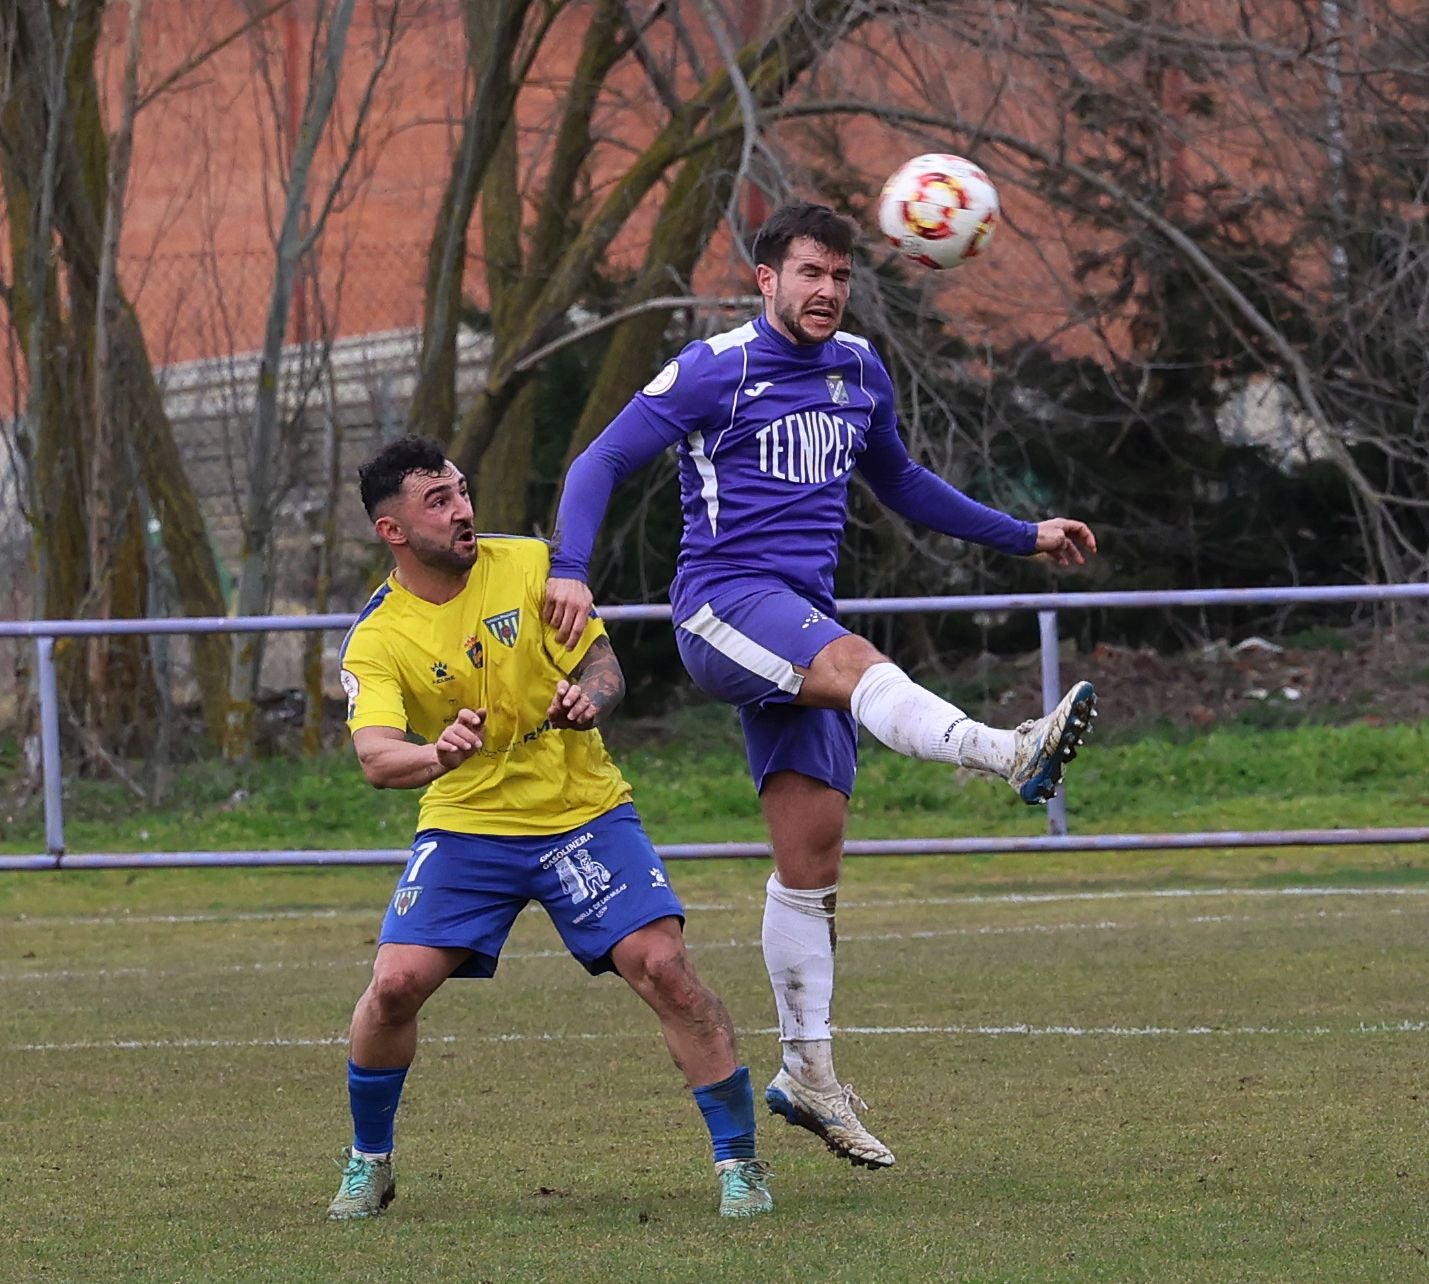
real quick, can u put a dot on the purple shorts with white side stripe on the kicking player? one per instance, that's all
(742, 648)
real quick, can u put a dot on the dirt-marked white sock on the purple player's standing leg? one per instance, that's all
(800, 941)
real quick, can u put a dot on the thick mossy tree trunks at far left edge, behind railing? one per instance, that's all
(59, 185)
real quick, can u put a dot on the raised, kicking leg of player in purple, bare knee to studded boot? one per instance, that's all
(852, 673)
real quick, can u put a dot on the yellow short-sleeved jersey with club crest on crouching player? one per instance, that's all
(409, 663)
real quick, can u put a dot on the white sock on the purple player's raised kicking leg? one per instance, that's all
(917, 723)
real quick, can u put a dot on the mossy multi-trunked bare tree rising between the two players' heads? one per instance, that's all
(687, 171)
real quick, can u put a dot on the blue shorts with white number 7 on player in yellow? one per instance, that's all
(599, 883)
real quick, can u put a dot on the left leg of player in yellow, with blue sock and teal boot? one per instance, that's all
(382, 1046)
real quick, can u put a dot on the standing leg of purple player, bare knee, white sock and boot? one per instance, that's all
(807, 823)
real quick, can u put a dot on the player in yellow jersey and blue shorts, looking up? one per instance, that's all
(522, 803)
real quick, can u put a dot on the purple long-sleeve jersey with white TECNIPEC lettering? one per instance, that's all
(768, 433)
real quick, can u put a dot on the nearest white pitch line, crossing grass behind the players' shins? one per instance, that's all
(1018, 1030)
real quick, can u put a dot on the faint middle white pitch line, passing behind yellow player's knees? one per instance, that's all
(938, 933)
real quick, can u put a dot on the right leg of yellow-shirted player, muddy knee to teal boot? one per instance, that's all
(701, 1038)
